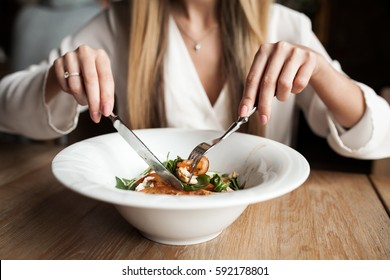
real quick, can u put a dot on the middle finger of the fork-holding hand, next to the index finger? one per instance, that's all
(269, 80)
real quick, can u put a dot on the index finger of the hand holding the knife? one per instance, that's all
(106, 83)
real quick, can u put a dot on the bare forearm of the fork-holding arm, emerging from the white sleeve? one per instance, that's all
(341, 95)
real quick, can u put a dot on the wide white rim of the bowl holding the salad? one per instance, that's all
(298, 173)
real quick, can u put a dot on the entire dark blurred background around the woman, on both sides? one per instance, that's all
(355, 32)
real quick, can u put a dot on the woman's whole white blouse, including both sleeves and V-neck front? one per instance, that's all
(23, 110)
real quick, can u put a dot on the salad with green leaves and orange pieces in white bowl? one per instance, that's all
(202, 182)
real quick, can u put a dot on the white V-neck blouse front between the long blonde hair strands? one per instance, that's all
(186, 102)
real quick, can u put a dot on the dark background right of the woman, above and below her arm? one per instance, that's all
(357, 34)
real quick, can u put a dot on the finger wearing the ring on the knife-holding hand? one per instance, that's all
(74, 83)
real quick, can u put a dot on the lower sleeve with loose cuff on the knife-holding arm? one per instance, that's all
(24, 111)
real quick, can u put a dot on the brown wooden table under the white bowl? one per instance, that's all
(331, 216)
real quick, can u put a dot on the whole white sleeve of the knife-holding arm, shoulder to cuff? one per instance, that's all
(23, 109)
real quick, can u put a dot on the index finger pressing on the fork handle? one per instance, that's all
(253, 80)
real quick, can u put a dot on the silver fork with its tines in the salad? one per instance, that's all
(204, 147)
